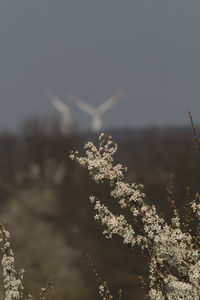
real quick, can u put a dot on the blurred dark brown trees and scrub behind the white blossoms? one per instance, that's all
(44, 198)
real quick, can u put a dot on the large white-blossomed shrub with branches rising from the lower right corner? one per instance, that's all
(173, 251)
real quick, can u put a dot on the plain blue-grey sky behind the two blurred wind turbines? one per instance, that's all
(94, 47)
